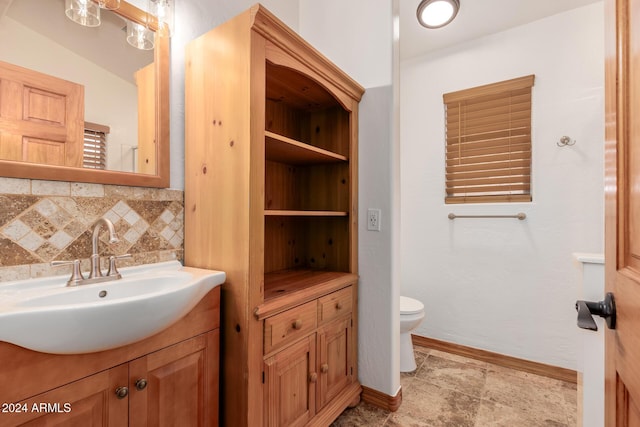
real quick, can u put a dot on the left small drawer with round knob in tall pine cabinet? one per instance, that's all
(289, 326)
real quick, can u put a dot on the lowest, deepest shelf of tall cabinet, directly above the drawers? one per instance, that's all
(286, 288)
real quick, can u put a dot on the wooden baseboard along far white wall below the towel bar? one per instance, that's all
(550, 371)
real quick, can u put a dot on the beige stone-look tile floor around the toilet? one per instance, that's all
(447, 390)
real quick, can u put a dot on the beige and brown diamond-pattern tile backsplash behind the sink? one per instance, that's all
(42, 221)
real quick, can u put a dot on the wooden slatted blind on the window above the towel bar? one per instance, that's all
(488, 143)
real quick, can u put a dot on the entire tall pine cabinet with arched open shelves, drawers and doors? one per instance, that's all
(271, 198)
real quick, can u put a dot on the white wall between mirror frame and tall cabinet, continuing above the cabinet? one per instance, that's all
(192, 19)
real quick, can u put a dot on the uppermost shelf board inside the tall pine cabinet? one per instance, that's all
(279, 148)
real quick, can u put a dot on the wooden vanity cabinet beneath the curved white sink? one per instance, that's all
(171, 377)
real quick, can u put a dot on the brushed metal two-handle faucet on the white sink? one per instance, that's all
(95, 274)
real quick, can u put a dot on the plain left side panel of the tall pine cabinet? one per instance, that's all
(217, 181)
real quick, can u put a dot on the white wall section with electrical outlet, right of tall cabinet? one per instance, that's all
(357, 36)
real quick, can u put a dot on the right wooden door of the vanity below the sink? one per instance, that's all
(176, 386)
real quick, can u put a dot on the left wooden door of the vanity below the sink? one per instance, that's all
(91, 401)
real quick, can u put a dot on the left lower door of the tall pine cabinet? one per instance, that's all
(290, 385)
